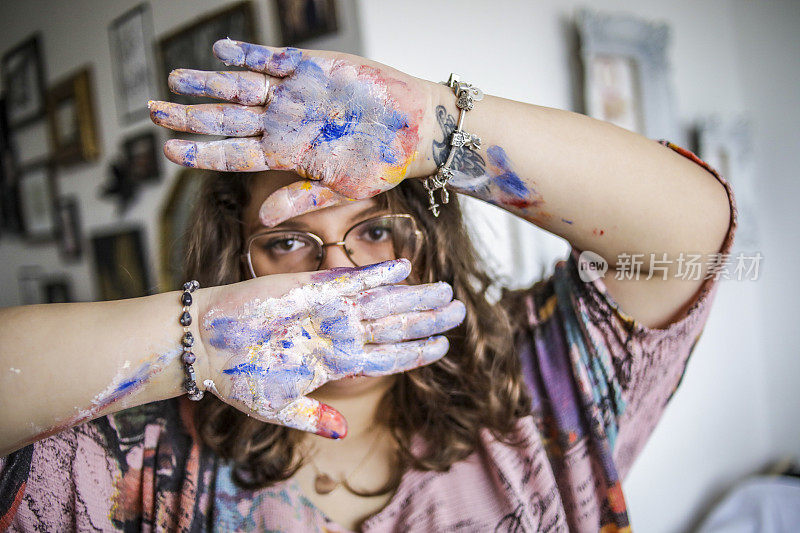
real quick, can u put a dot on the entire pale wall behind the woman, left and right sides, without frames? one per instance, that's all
(736, 409)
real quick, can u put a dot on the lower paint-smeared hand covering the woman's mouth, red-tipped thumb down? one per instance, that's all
(266, 353)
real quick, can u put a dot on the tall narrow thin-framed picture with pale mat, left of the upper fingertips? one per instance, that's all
(129, 37)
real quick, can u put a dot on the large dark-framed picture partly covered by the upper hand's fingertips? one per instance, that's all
(190, 45)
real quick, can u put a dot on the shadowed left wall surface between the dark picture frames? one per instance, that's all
(75, 33)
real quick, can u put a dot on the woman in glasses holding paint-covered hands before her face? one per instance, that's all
(532, 419)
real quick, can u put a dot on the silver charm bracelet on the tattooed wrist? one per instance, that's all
(466, 96)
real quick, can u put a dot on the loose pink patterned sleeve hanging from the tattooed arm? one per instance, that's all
(599, 379)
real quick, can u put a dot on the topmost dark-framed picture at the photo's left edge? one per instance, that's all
(23, 82)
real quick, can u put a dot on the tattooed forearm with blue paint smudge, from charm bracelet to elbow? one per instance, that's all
(601, 187)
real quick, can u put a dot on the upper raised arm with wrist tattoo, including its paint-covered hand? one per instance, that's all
(356, 128)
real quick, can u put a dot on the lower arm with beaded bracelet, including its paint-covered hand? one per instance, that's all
(261, 346)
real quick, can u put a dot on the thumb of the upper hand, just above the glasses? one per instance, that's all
(295, 199)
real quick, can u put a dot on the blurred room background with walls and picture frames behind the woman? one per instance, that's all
(92, 210)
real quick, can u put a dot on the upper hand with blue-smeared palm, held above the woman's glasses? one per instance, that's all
(353, 127)
